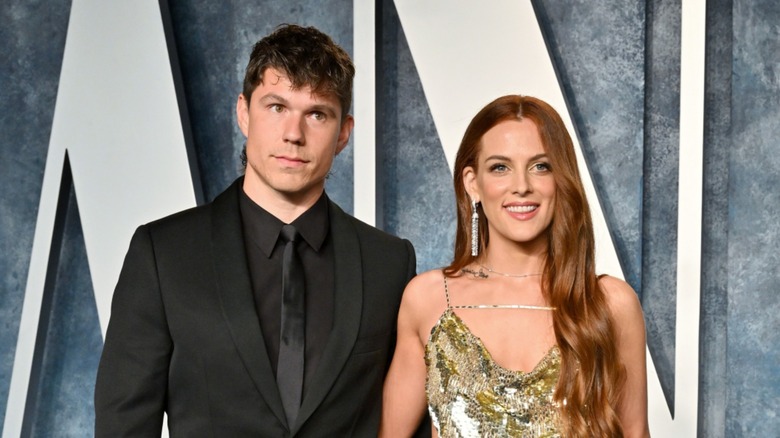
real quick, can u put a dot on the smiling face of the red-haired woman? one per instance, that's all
(514, 183)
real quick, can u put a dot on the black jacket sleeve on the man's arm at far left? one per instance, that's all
(132, 377)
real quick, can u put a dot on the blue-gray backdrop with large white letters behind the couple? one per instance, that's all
(112, 115)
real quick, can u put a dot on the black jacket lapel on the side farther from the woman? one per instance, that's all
(235, 293)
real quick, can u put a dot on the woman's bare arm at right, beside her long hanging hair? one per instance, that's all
(630, 332)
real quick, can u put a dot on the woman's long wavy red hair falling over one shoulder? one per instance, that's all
(592, 376)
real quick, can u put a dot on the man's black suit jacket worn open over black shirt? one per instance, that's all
(184, 336)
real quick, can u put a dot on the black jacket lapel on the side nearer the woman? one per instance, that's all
(348, 302)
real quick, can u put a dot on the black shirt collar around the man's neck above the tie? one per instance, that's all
(263, 228)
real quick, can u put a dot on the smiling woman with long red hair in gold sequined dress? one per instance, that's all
(518, 336)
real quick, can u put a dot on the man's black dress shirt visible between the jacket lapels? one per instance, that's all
(264, 248)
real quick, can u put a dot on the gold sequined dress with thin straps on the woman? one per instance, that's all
(470, 395)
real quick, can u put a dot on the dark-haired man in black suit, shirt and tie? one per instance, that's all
(200, 323)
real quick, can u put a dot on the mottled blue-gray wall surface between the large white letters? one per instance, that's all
(619, 66)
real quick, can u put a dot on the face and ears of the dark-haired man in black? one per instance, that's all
(292, 138)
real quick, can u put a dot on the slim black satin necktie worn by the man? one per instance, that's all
(289, 374)
